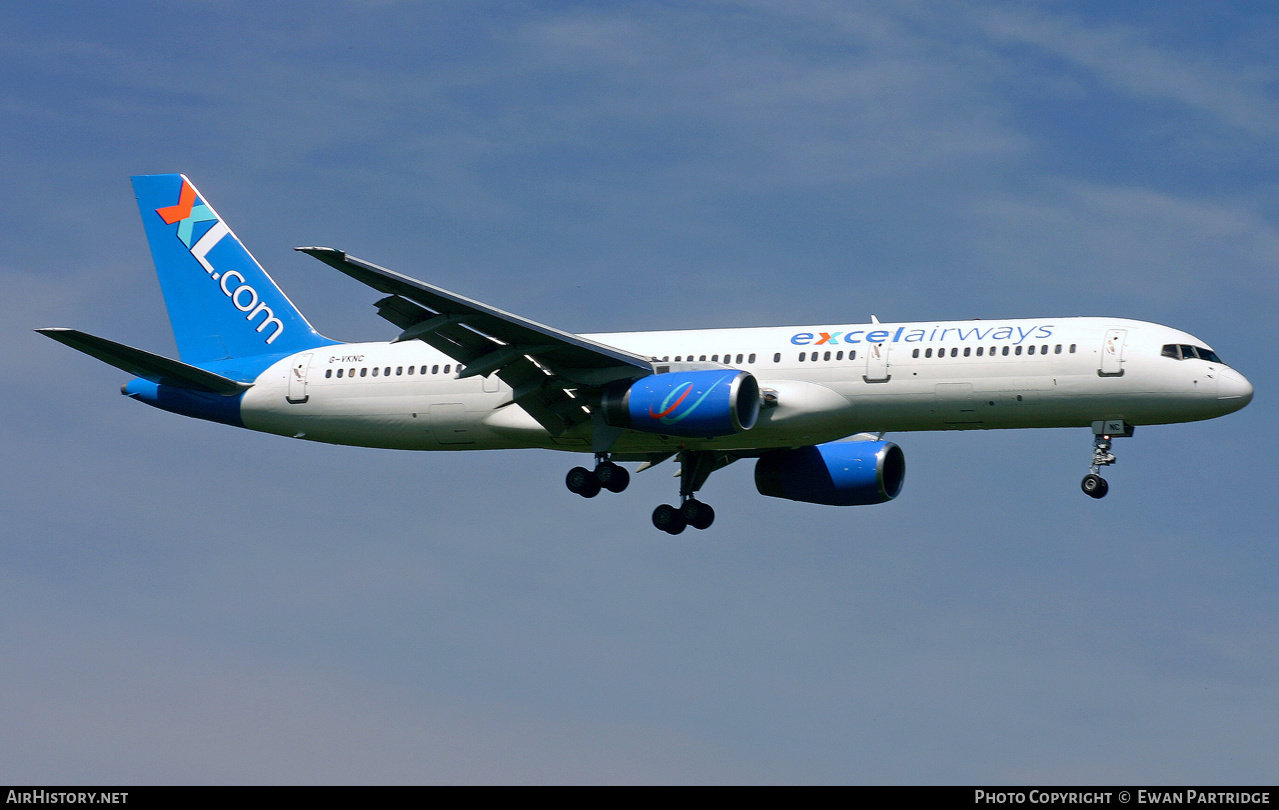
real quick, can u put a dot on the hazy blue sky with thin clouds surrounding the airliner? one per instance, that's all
(182, 602)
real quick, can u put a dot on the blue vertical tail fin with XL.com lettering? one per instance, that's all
(222, 304)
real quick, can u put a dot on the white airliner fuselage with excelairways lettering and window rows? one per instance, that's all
(822, 383)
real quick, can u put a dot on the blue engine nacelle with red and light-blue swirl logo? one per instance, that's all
(700, 405)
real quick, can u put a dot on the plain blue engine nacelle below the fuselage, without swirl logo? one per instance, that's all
(840, 474)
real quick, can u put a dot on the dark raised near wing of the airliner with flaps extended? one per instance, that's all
(545, 368)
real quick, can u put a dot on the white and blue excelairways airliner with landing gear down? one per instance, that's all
(812, 405)
